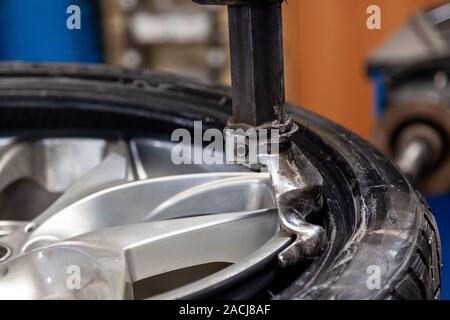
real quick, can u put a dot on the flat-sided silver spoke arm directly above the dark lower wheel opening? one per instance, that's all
(149, 248)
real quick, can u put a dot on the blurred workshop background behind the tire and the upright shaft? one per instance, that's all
(403, 106)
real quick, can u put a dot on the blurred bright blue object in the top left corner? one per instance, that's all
(36, 30)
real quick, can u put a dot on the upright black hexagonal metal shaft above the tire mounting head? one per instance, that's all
(257, 66)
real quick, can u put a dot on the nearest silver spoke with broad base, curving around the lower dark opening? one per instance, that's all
(113, 258)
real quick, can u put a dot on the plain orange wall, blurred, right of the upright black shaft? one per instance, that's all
(326, 44)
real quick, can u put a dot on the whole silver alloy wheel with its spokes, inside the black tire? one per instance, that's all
(121, 232)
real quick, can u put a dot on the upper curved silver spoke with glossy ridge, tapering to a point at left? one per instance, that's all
(141, 201)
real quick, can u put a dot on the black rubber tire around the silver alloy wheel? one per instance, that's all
(374, 218)
